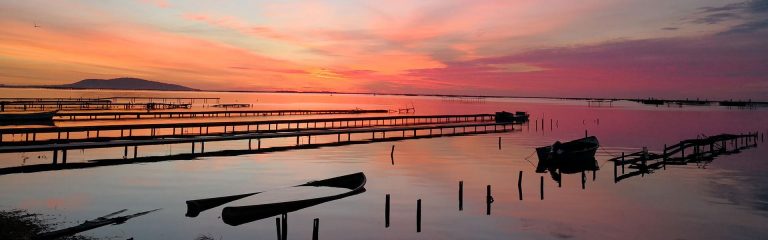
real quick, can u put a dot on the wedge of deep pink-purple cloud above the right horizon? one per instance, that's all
(672, 67)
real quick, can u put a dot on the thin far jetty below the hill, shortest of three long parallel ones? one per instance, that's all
(118, 115)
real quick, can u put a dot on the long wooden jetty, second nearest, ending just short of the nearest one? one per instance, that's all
(160, 130)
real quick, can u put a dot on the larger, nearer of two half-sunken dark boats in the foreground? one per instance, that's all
(243, 214)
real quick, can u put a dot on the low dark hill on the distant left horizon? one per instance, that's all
(125, 83)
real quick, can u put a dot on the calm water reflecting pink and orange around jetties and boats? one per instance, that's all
(725, 199)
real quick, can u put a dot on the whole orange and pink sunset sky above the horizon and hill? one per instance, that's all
(589, 48)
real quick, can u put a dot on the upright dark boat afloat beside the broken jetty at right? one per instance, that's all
(580, 150)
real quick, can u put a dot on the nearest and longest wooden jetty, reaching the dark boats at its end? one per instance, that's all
(344, 135)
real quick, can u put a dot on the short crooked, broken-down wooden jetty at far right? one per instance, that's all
(698, 151)
